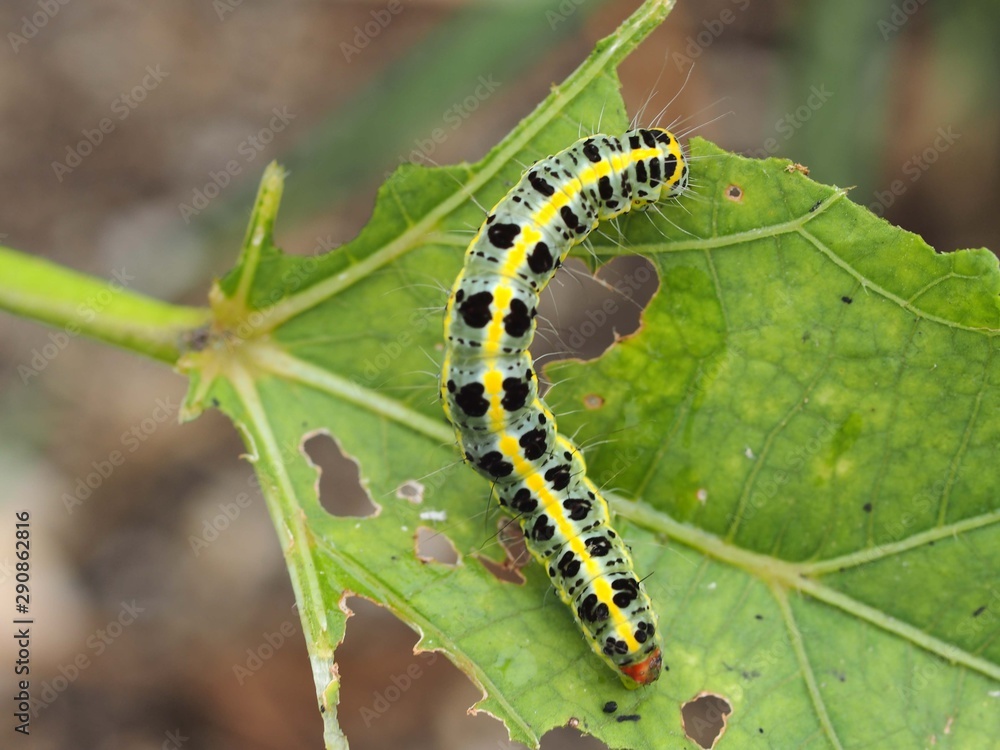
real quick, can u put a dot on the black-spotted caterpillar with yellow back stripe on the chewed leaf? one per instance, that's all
(489, 387)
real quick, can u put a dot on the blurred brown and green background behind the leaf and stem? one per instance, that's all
(896, 98)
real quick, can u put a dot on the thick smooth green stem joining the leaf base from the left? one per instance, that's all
(99, 308)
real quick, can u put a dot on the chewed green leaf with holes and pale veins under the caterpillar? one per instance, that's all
(804, 427)
